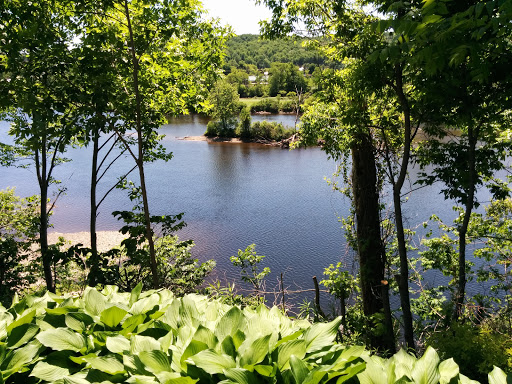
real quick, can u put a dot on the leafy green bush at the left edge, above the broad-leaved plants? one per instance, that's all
(19, 224)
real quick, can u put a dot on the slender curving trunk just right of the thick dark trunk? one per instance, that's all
(397, 202)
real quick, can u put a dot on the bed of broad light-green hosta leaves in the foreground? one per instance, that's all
(153, 337)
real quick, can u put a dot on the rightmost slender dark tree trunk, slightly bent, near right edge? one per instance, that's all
(469, 203)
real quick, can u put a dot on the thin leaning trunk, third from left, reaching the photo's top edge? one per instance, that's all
(140, 160)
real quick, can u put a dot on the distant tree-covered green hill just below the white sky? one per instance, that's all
(246, 50)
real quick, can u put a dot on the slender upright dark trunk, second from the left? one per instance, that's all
(93, 273)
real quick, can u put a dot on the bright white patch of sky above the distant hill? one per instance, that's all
(242, 15)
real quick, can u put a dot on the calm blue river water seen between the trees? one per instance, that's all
(232, 195)
